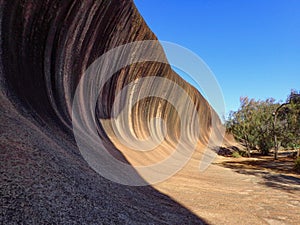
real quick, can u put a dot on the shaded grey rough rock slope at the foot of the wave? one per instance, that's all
(45, 180)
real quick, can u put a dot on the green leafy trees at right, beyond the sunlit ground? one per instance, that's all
(254, 126)
